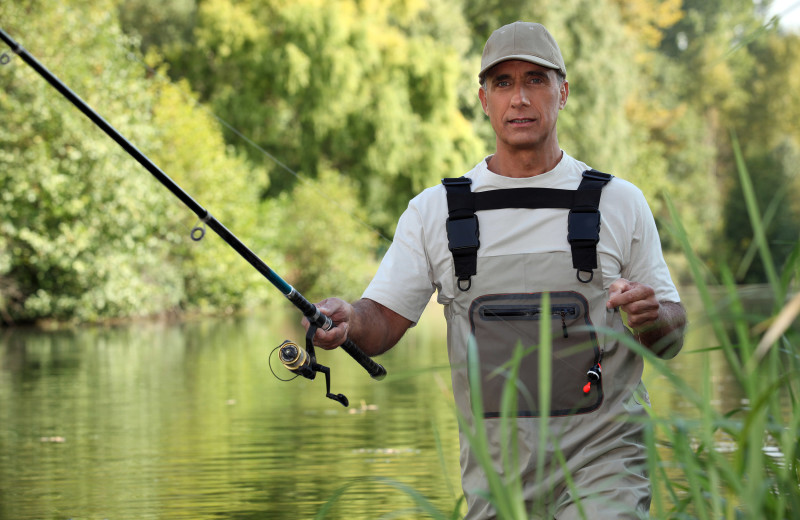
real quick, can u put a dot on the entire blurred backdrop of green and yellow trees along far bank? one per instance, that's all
(349, 108)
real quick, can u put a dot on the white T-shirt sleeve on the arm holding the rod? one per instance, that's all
(403, 282)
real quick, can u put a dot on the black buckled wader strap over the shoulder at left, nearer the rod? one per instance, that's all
(462, 229)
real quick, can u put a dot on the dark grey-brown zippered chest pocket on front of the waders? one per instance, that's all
(500, 322)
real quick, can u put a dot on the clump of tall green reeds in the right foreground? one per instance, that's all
(756, 476)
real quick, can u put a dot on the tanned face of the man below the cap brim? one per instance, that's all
(522, 101)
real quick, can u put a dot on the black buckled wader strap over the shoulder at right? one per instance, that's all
(583, 223)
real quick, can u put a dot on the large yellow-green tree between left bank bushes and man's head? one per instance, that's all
(367, 89)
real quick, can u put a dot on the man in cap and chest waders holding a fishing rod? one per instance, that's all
(502, 266)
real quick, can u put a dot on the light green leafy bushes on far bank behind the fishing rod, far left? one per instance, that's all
(86, 233)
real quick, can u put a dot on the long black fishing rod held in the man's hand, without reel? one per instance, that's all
(308, 309)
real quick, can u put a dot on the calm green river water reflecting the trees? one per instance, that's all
(187, 421)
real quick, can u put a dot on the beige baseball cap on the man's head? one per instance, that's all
(524, 41)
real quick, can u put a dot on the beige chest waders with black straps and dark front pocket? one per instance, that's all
(499, 303)
